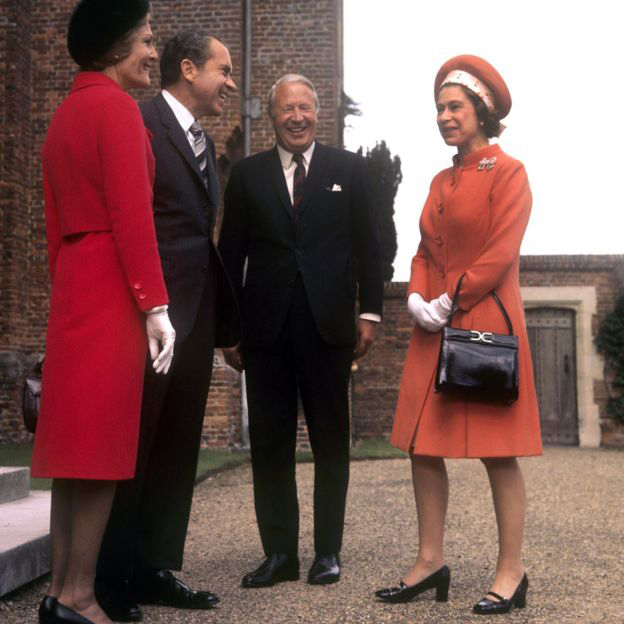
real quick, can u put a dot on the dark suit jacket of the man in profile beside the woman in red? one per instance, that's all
(184, 214)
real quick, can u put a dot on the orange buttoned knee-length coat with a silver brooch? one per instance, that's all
(473, 222)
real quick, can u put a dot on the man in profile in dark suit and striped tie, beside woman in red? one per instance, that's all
(146, 533)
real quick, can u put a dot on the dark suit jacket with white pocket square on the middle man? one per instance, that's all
(334, 244)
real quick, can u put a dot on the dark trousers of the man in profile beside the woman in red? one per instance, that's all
(148, 523)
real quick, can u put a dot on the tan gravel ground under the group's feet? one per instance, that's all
(574, 550)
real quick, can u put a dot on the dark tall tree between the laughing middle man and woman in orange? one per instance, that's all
(385, 176)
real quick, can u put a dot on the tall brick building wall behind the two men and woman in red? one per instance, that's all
(287, 36)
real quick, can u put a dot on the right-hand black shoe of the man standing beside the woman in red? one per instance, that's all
(162, 588)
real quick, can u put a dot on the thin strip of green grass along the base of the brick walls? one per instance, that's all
(210, 461)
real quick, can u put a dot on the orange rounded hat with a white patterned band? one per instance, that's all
(479, 76)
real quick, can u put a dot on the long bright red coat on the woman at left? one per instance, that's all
(97, 172)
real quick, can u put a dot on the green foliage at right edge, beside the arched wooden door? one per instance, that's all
(610, 342)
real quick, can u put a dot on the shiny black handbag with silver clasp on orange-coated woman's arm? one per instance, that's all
(478, 364)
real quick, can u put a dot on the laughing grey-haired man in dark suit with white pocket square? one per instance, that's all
(301, 215)
